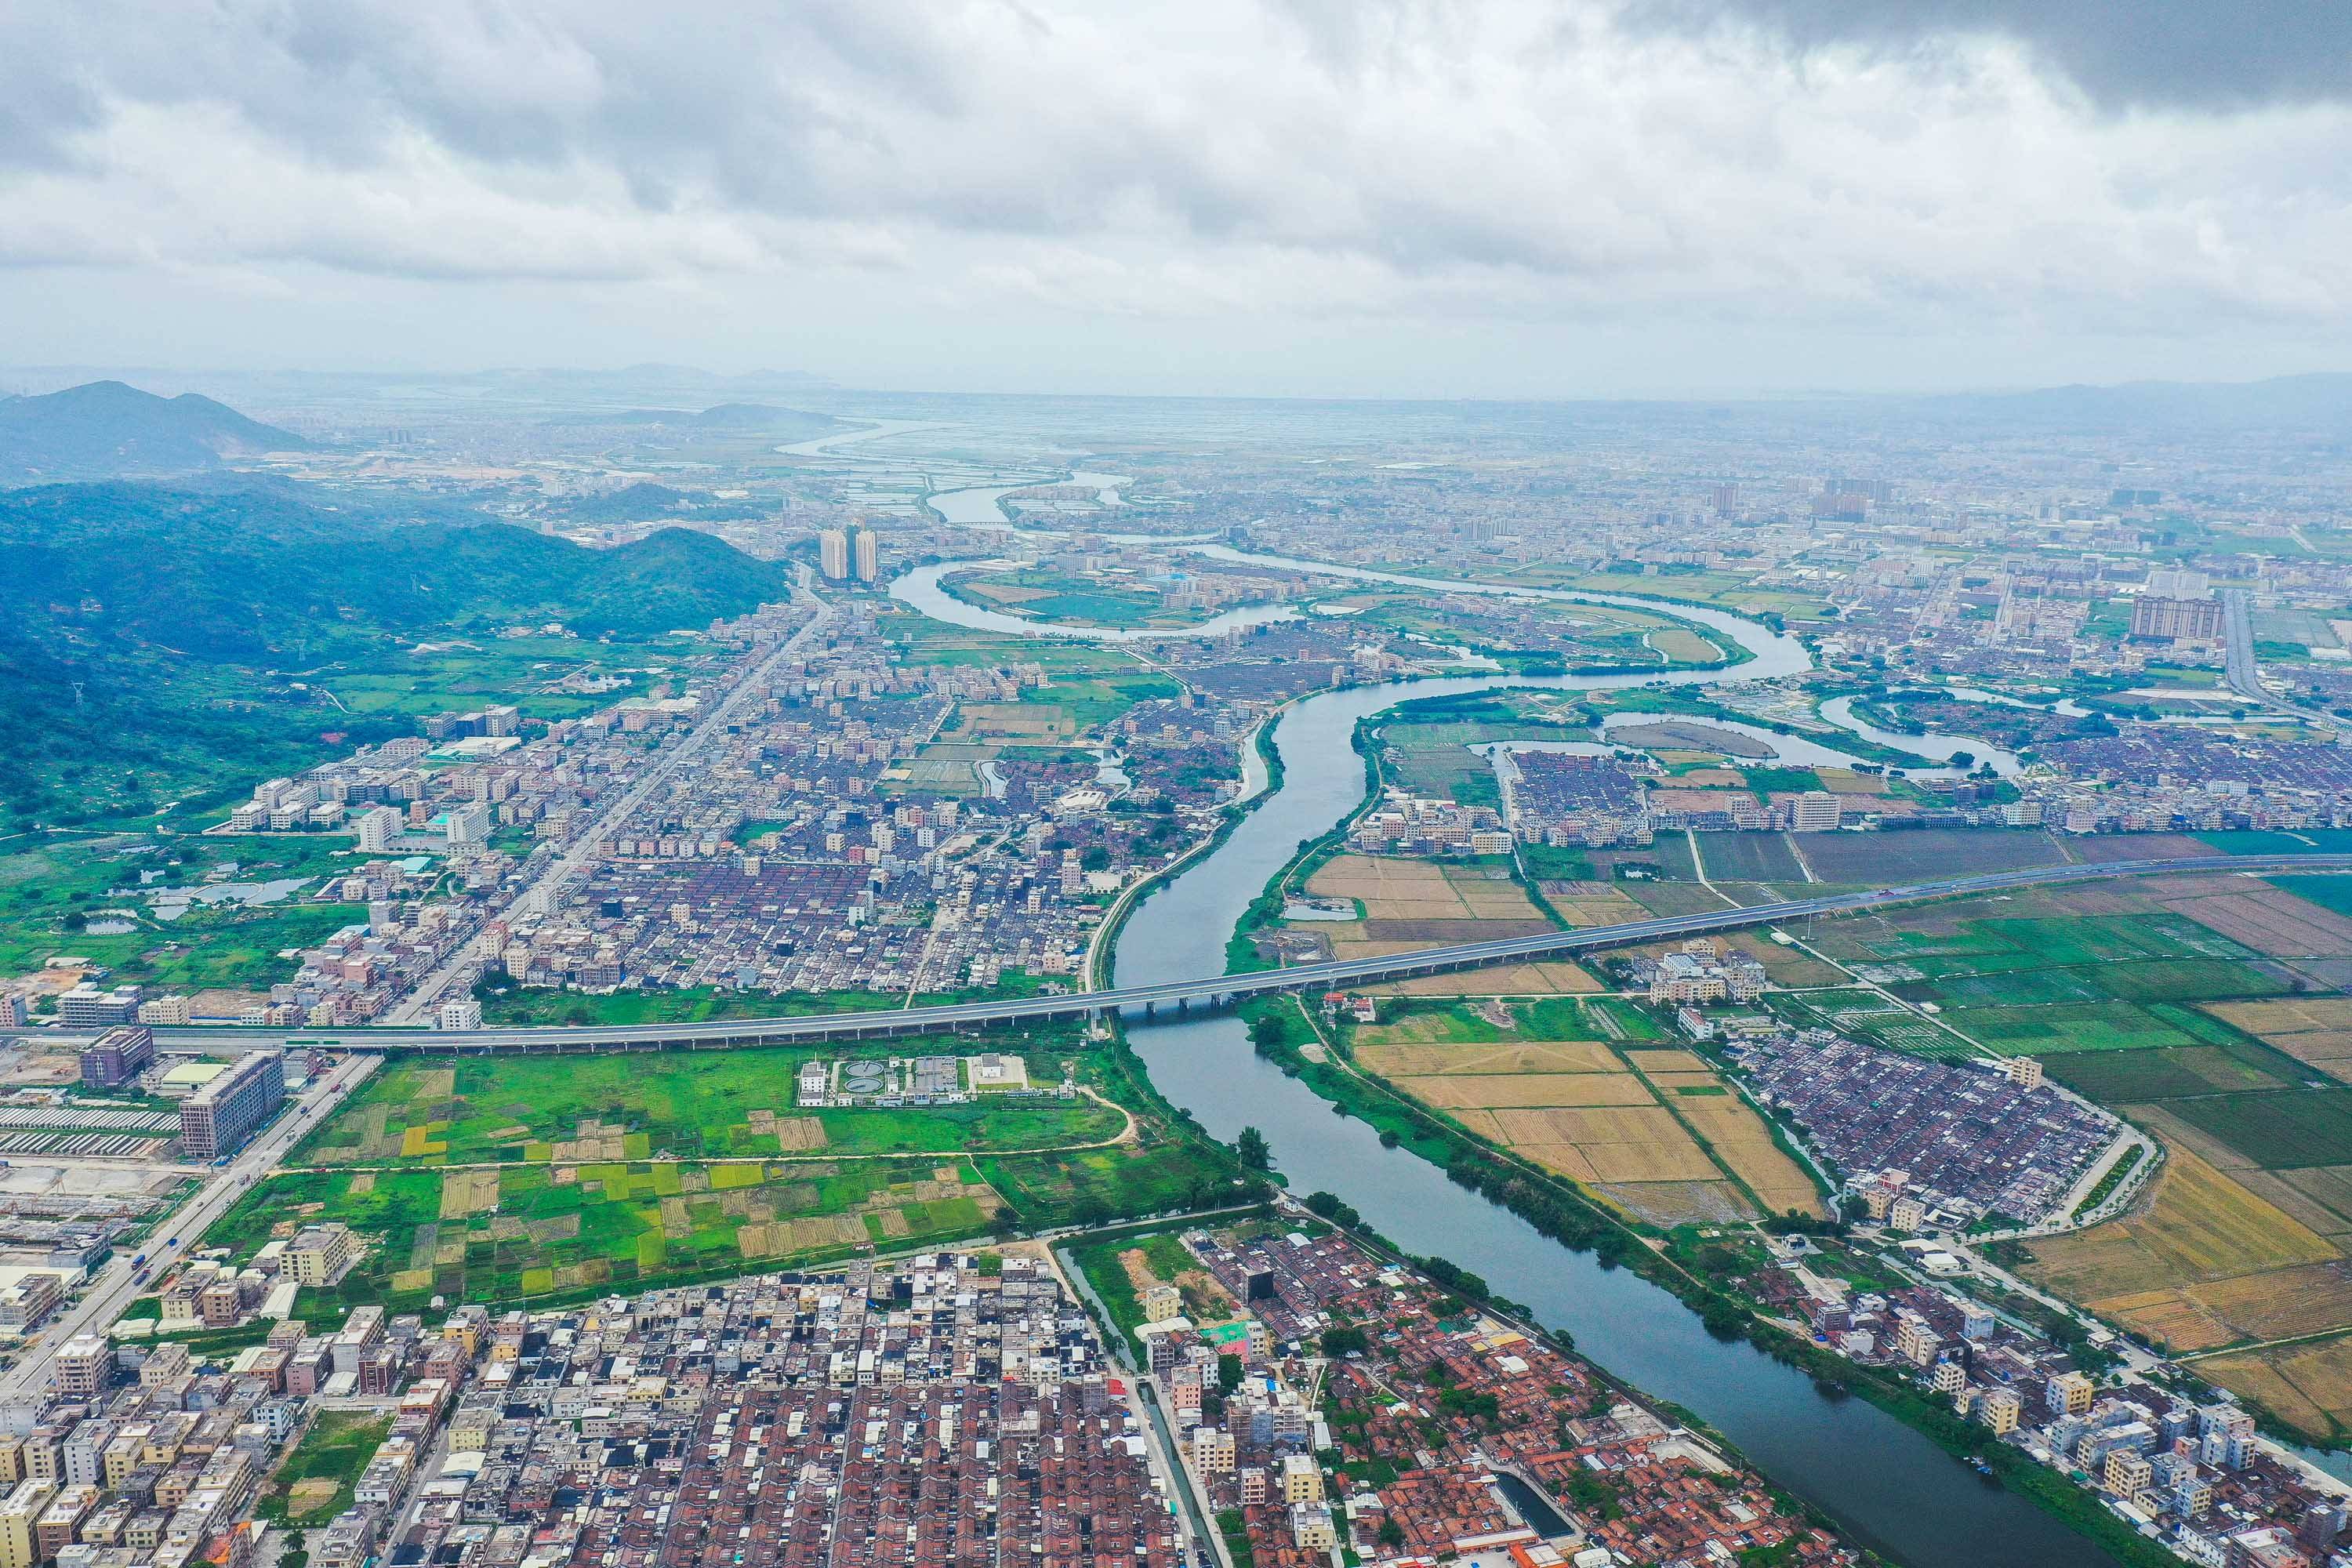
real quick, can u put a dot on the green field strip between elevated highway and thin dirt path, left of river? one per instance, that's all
(676, 1106)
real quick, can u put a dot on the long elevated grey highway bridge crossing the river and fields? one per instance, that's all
(1205, 991)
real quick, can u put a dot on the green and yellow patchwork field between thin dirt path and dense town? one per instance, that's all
(537, 1231)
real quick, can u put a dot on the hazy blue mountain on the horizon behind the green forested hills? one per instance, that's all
(107, 429)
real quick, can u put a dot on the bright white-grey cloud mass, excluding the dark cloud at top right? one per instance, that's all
(1495, 159)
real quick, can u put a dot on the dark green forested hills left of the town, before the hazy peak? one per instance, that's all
(159, 634)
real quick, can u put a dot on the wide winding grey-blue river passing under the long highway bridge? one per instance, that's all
(1885, 1485)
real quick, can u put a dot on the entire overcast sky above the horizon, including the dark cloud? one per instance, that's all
(1205, 196)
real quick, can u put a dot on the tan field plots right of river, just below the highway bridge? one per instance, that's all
(1645, 1127)
